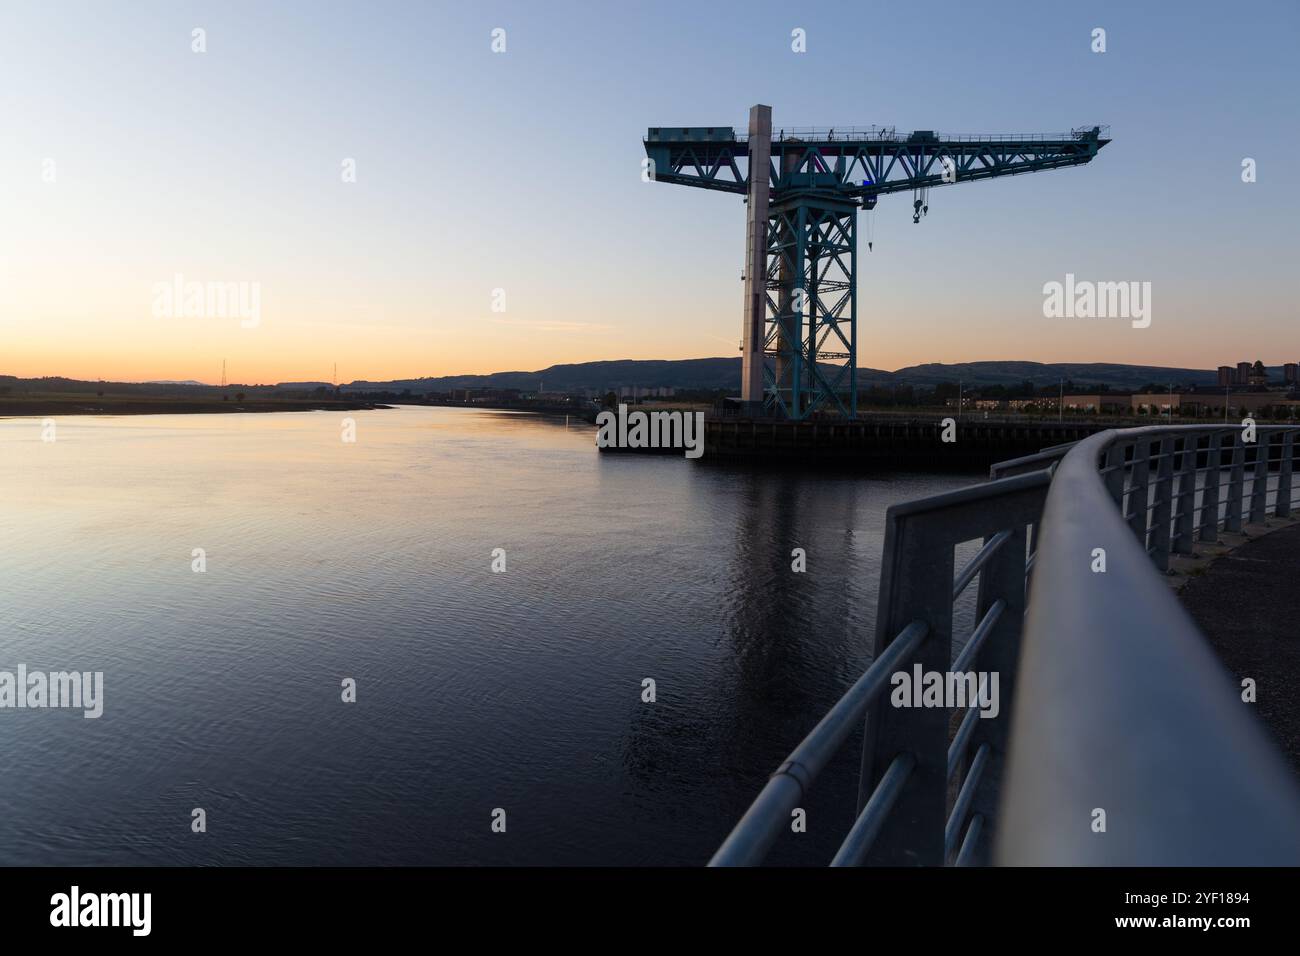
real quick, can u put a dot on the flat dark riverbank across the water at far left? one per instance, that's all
(80, 404)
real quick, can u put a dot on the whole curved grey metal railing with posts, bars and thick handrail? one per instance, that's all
(1120, 738)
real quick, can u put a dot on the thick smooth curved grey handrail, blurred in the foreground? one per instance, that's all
(1121, 706)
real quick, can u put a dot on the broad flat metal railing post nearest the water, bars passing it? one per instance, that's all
(916, 583)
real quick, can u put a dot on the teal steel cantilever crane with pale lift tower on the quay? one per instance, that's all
(800, 236)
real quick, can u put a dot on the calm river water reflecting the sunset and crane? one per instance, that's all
(475, 690)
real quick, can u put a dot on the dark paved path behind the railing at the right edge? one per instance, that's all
(1249, 604)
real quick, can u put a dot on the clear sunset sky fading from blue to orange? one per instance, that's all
(129, 159)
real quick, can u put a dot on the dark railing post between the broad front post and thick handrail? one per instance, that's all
(1002, 578)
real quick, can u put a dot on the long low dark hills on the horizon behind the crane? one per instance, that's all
(725, 374)
